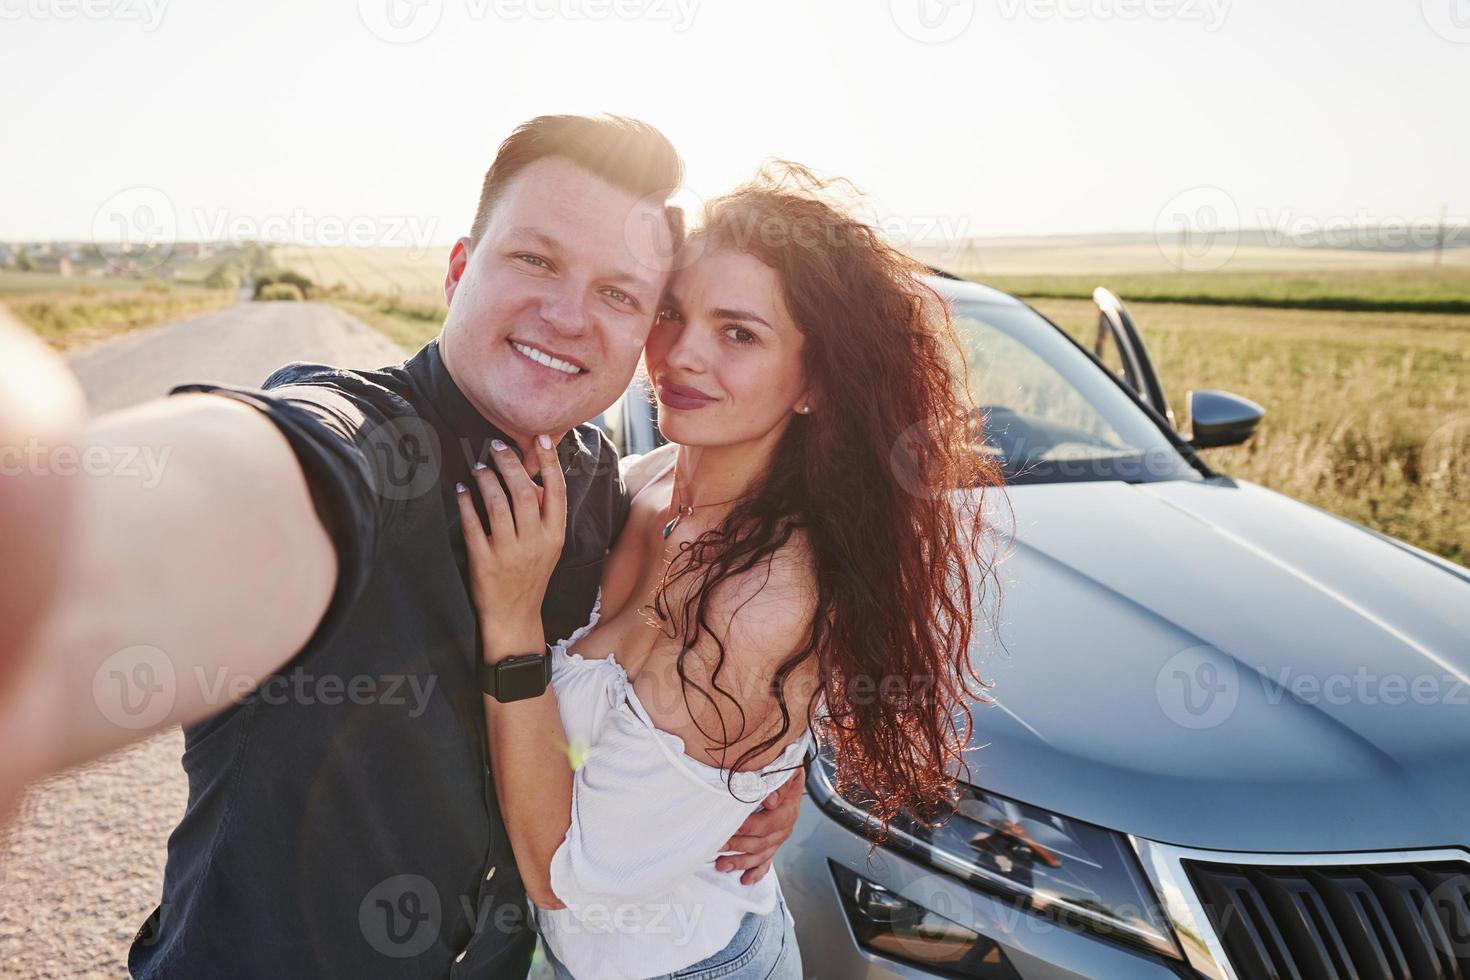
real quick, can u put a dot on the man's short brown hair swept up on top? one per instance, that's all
(628, 154)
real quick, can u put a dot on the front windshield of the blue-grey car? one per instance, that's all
(1050, 414)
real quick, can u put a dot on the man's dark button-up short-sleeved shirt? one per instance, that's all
(342, 821)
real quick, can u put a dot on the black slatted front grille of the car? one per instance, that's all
(1368, 922)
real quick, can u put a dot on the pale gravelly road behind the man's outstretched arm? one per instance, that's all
(83, 865)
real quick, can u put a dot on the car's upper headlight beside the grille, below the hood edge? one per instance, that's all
(1068, 871)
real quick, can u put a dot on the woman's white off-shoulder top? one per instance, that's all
(637, 868)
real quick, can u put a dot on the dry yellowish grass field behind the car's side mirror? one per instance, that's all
(1368, 415)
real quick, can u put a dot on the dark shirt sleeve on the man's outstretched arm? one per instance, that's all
(334, 427)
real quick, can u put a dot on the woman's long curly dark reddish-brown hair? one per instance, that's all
(886, 486)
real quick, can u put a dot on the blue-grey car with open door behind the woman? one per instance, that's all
(1231, 732)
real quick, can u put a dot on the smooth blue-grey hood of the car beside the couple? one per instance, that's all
(1218, 666)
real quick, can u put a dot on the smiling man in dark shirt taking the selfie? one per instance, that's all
(302, 556)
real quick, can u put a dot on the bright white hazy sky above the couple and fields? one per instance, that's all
(958, 117)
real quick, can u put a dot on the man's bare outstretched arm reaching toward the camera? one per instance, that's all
(184, 580)
